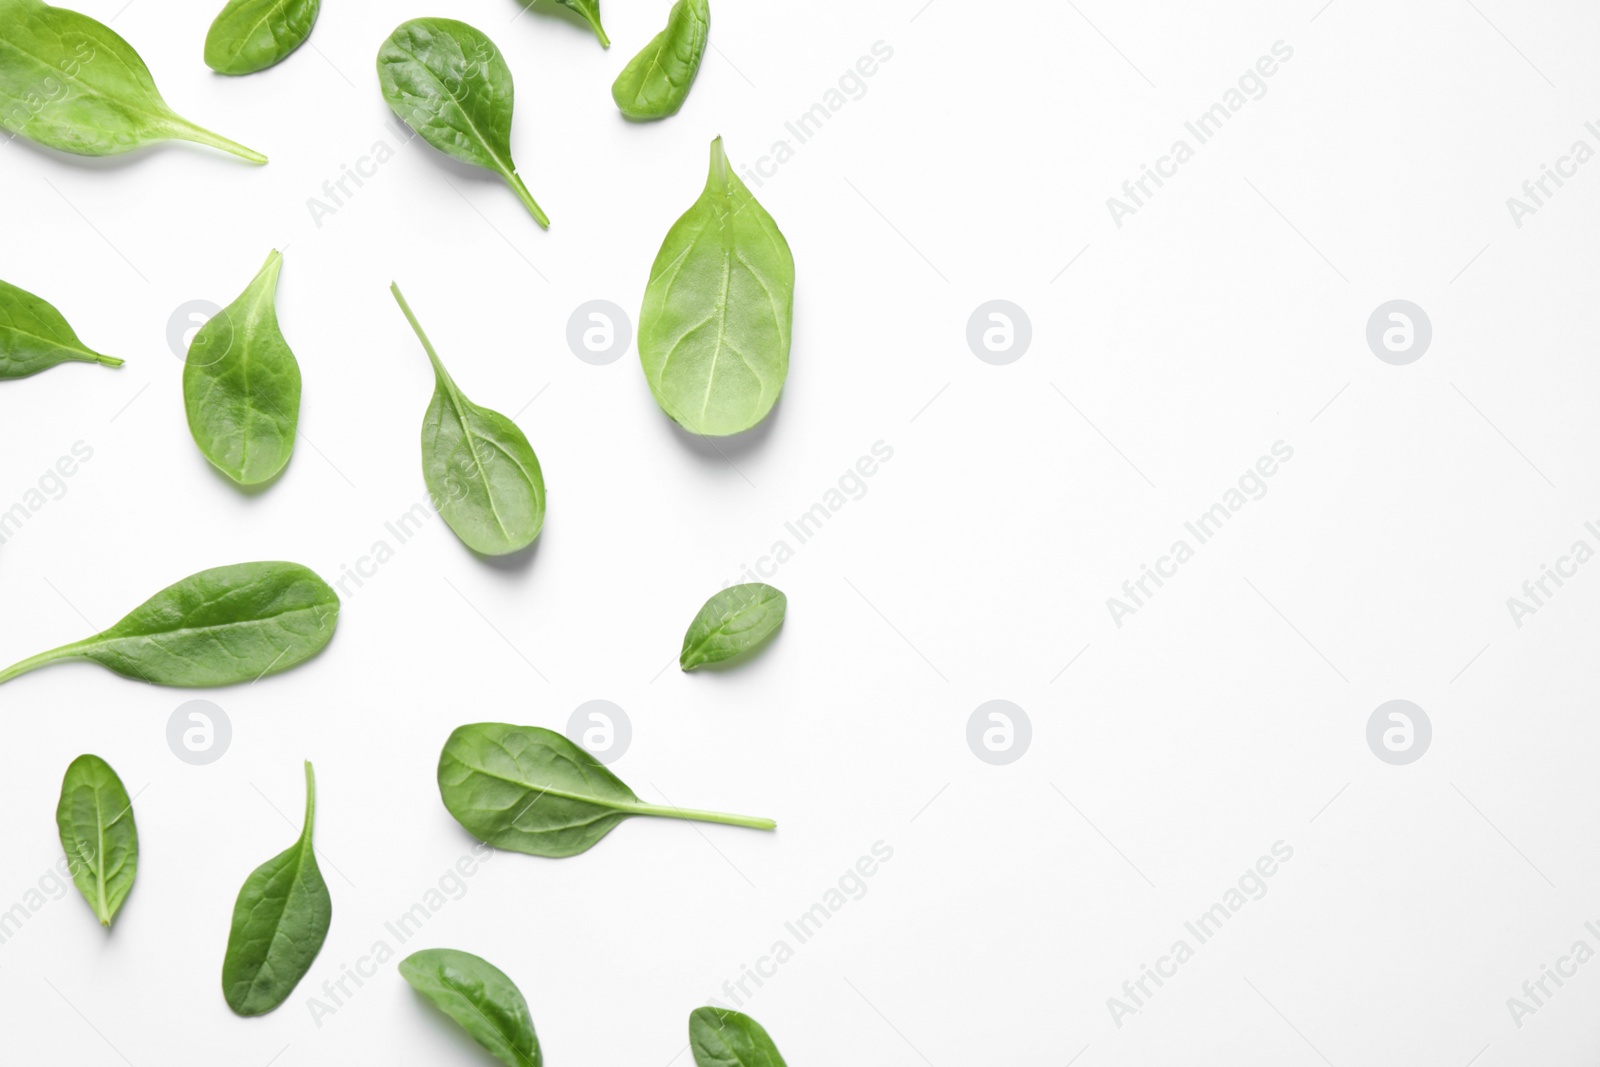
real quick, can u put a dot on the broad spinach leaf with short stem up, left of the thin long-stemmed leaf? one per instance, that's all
(242, 385)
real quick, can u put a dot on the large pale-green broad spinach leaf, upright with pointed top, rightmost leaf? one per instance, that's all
(714, 330)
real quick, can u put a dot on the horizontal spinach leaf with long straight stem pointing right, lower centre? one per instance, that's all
(534, 791)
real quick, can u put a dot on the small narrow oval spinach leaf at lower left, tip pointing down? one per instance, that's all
(98, 836)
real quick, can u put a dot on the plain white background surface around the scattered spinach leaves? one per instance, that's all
(1226, 716)
